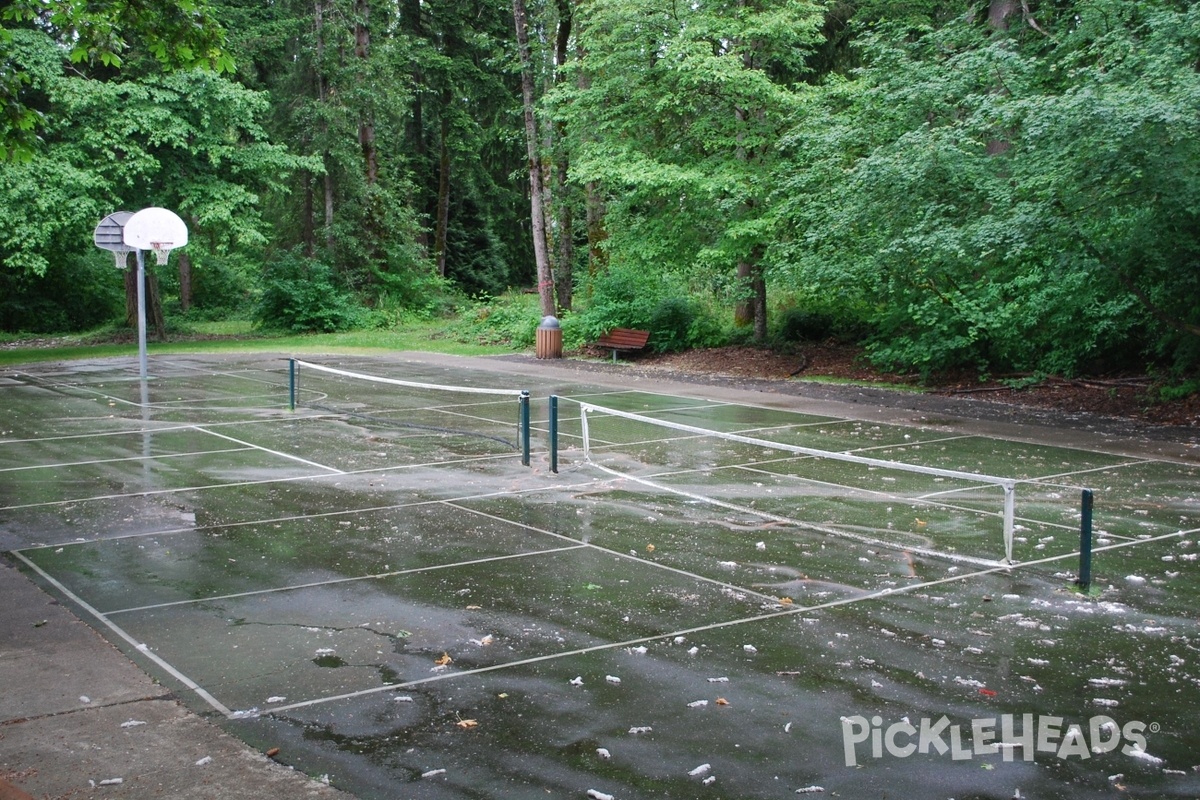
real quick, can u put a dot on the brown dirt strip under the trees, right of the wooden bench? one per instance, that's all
(1132, 398)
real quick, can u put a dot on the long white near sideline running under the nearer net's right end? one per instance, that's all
(701, 629)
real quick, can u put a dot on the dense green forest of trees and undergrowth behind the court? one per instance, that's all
(1010, 188)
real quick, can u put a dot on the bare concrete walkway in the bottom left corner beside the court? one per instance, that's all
(80, 720)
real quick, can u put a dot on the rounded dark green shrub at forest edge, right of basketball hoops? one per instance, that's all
(303, 296)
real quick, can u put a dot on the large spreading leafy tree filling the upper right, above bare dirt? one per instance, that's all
(1010, 196)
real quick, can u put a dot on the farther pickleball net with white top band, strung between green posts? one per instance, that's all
(487, 420)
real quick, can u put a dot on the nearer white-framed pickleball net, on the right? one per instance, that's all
(946, 514)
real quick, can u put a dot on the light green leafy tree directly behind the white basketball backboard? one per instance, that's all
(189, 141)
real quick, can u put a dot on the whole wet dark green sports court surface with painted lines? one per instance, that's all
(375, 585)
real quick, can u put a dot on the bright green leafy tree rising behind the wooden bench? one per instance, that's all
(680, 117)
